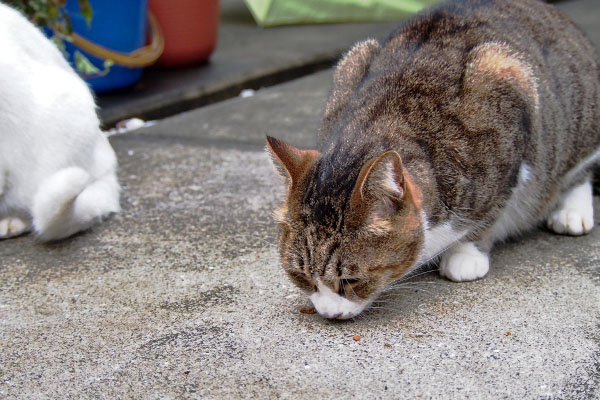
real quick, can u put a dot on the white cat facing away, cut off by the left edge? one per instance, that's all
(57, 169)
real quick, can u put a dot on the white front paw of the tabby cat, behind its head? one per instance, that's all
(464, 262)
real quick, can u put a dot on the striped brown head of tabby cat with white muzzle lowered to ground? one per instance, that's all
(346, 232)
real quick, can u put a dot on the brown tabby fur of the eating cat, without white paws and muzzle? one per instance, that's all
(433, 128)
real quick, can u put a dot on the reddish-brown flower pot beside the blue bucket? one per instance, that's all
(189, 28)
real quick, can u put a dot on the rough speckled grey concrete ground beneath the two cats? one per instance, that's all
(182, 295)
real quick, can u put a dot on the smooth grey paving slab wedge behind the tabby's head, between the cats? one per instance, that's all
(275, 111)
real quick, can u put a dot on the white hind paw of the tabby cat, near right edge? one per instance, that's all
(575, 212)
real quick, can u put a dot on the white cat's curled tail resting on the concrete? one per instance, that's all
(71, 201)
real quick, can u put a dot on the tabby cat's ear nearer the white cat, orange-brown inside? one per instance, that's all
(291, 163)
